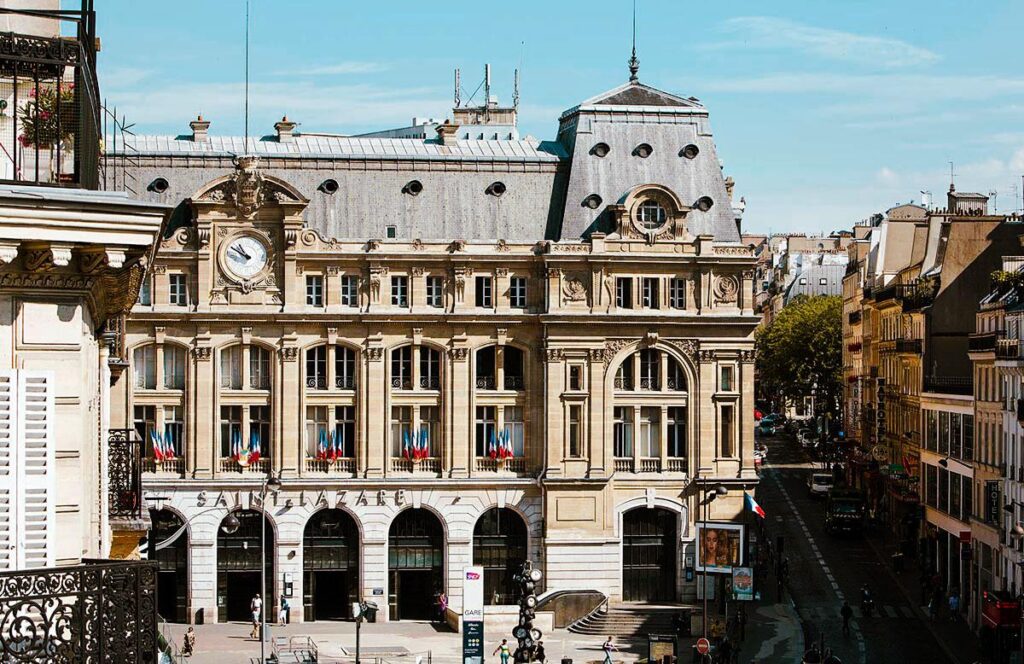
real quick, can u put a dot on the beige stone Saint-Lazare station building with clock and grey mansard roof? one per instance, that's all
(450, 351)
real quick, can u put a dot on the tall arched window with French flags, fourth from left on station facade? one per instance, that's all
(415, 377)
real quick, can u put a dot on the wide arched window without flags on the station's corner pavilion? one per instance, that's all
(651, 420)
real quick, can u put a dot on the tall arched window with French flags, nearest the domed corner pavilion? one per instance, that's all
(500, 409)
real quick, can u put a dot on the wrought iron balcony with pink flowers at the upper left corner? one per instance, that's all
(50, 130)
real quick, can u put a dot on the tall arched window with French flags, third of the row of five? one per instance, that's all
(331, 409)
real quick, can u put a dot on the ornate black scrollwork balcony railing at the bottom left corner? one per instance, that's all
(101, 611)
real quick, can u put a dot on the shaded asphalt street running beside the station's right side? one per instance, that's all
(826, 569)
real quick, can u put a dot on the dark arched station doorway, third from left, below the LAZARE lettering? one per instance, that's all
(330, 565)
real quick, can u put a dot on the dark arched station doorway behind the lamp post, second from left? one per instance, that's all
(239, 559)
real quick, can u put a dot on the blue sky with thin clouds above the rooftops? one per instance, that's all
(823, 112)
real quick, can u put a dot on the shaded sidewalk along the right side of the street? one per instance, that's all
(956, 638)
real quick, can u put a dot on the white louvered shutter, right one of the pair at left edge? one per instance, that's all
(37, 491)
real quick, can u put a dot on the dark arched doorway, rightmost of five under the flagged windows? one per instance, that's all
(500, 547)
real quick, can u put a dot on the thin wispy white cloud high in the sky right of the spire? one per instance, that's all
(769, 33)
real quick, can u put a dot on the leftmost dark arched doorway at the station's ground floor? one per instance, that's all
(173, 565)
